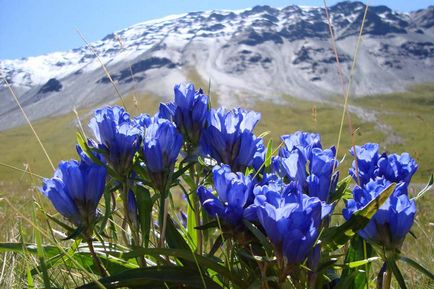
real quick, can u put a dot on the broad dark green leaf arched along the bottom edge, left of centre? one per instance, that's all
(155, 278)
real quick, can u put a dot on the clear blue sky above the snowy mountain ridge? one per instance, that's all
(34, 27)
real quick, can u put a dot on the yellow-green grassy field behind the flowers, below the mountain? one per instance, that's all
(402, 122)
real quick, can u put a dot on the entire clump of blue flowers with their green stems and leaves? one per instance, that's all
(263, 203)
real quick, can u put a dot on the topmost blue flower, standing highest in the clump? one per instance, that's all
(189, 111)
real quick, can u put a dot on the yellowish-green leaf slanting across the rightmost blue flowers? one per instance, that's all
(335, 237)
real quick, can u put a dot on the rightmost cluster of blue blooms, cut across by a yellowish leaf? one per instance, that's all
(374, 173)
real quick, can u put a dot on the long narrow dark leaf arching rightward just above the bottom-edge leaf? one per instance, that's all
(203, 262)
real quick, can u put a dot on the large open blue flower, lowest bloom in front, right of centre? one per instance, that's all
(290, 219)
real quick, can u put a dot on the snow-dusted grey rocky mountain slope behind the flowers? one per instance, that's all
(259, 53)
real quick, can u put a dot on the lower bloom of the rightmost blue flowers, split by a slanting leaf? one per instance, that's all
(393, 219)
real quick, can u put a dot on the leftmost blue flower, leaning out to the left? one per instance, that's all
(75, 190)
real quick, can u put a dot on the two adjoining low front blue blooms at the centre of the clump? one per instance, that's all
(290, 218)
